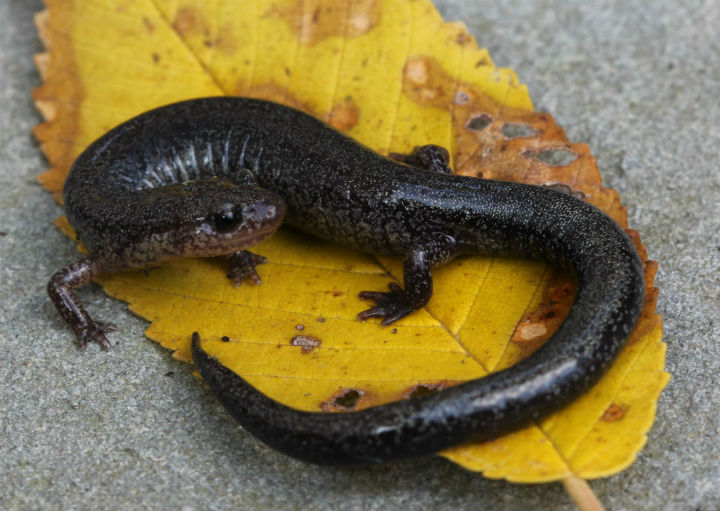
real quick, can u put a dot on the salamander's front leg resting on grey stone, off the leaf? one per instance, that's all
(69, 306)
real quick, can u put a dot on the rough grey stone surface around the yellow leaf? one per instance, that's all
(638, 81)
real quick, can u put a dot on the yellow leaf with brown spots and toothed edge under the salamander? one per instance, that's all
(392, 74)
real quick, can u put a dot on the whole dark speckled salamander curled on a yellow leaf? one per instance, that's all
(162, 184)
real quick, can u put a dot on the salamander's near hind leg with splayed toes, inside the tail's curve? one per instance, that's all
(435, 248)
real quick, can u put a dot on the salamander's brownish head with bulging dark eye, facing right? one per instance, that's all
(203, 218)
